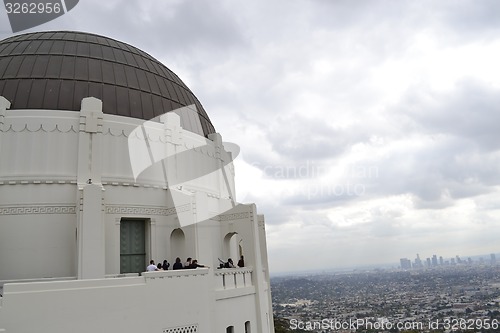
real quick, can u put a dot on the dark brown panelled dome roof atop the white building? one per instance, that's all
(56, 70)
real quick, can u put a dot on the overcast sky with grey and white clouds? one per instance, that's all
(369, 130)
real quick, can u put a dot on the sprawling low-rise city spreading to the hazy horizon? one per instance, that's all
(423, 300)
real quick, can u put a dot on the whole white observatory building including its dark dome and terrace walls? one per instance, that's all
(108, 161)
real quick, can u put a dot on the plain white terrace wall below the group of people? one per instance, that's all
(129, 305)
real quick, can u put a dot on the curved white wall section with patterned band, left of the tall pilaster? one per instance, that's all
(37, 231)
